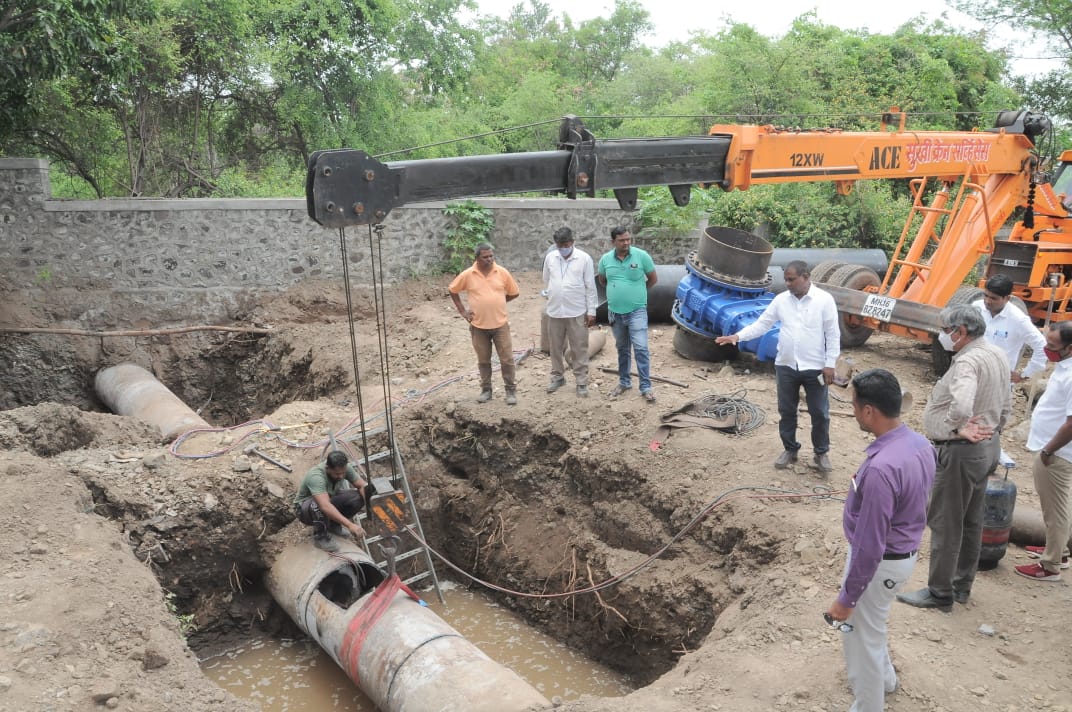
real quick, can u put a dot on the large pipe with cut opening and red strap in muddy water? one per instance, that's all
(406, 660)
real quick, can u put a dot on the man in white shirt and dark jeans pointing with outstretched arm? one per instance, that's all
(809, 347)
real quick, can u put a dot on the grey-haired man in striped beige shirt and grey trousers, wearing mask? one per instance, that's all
(966, 411)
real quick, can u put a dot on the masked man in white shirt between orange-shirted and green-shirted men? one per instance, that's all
(570, 278)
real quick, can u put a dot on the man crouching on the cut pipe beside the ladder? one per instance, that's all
(330, 497)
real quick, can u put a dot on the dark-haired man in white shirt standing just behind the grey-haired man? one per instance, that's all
(1011, 330)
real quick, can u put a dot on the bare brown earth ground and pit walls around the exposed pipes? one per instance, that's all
(113, 547)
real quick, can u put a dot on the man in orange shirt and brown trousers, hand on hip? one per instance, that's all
(488, 288)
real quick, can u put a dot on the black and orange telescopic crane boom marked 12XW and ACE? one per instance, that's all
(349, 187)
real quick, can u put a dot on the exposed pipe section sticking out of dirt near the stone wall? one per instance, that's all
(129, 390)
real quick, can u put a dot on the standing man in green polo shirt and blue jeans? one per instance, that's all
(629, 273)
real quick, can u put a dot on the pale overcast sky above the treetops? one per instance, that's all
(674, 20)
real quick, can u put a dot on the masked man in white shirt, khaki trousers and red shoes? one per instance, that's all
(1051, 435)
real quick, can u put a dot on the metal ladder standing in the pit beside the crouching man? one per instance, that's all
(395, 497)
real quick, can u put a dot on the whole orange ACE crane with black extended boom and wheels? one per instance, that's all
(965, 186)
